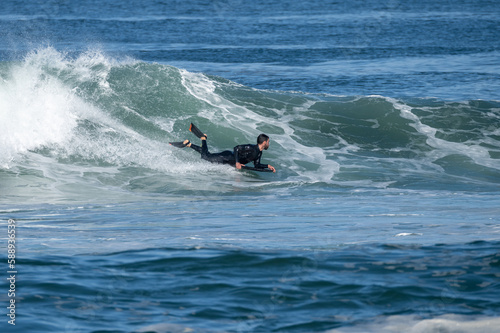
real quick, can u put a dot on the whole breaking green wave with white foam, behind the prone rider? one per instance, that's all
(82, 126)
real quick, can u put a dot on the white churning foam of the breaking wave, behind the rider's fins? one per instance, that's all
(40, 106)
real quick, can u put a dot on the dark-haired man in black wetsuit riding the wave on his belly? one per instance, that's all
(240, 155)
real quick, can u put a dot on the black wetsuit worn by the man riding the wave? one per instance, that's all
(242, 154)
